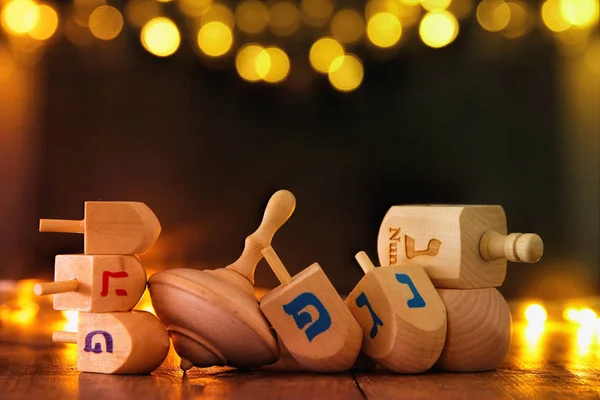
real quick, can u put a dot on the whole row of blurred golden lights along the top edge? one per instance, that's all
(243, 32)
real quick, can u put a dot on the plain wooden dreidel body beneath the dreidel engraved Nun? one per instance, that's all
(479, 330)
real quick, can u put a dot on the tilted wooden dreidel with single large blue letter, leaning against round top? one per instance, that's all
(311, 319)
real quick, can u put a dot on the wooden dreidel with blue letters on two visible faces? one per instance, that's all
(401, 314)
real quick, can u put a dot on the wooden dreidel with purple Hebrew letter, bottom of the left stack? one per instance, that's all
(118, 343)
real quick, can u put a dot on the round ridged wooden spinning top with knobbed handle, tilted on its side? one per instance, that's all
(213, 316)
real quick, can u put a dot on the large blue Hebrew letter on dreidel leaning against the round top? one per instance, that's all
(302, 318)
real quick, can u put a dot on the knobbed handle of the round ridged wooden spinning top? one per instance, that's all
(279, 209)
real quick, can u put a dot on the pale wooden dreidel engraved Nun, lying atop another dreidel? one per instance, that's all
(462, 247)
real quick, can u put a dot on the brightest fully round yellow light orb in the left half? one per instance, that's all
(160, 37)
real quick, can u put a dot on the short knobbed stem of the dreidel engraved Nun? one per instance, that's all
(516, 247)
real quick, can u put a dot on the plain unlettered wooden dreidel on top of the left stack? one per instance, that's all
(111, 227)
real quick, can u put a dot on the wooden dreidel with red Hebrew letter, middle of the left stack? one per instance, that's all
(98, 283)
